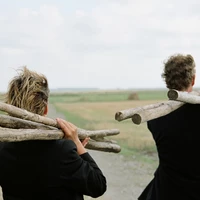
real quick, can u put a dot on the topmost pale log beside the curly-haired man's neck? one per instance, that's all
(191, 97)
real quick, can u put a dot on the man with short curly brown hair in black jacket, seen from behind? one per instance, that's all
(177, 139)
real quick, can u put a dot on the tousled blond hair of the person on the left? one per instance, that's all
(29, 90)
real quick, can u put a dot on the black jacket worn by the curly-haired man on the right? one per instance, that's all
(177, 137)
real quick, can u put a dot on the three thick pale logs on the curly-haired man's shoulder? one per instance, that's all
(149, 112)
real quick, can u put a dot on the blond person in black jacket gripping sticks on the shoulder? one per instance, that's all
(46, 169)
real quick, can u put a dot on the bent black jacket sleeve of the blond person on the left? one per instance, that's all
(81, 173)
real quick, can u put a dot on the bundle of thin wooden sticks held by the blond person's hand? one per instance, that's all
(20, 125)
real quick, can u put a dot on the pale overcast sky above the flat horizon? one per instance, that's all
(97, 43)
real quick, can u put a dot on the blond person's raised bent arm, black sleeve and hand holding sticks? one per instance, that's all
(79, 171)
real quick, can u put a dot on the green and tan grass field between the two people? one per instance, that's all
(96, 110)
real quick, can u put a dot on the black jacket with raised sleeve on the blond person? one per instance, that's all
(48, 170)
